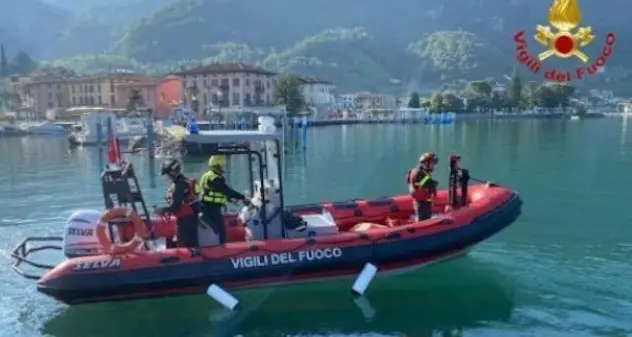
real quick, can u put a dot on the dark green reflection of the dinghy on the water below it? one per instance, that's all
(445, 298)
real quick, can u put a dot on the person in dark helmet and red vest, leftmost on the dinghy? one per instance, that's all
(182, 202)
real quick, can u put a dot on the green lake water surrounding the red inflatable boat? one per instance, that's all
(562, 269)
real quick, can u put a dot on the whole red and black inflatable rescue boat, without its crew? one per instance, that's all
(294, 244)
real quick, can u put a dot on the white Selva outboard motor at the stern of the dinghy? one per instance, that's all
(80, 237)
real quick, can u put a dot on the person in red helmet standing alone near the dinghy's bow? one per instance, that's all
(422, 187)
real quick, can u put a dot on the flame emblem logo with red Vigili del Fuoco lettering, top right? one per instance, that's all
(563, 40)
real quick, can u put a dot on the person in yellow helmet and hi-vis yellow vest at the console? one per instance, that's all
(215, 195)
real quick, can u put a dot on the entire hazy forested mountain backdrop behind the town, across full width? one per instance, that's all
(356, 43)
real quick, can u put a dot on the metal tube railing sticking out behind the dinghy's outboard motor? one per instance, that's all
(20, 254)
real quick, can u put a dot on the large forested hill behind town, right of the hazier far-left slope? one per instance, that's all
(395, 40)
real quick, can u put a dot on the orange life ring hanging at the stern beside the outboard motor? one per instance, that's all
(140, 231)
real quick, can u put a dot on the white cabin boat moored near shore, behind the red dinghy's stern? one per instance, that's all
(92, 130)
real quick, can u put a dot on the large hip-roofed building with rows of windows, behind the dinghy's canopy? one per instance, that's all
(228, 85)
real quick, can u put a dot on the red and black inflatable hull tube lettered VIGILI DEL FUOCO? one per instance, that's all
(237, 265)
